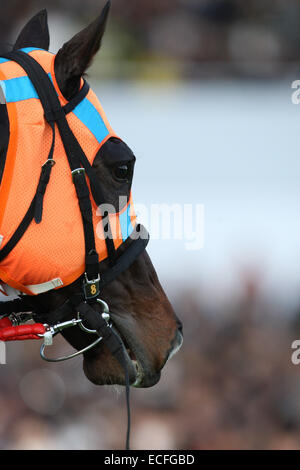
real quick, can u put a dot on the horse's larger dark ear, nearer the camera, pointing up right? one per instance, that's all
(73, 59)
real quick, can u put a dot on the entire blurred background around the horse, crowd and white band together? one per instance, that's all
(201, 91)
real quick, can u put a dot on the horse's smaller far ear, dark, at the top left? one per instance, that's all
(35, 33)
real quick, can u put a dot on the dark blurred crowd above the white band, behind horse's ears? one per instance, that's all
(188, 38)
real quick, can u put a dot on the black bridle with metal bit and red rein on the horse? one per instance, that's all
(83, 302)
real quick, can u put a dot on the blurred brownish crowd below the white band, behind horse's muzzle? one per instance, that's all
(232, 386)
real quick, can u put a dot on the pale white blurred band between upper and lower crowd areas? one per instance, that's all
(234, 148)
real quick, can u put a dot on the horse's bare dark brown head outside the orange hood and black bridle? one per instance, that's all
(139, 308)
